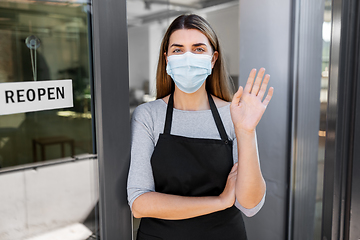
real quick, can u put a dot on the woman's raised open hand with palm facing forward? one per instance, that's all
(248, 106)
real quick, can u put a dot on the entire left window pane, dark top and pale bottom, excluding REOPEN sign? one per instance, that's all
(61, 197)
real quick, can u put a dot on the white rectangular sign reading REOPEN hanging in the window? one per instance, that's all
(18, 97)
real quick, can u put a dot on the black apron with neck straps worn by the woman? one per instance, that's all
(193, 167)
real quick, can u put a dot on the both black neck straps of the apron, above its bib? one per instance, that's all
(214, 111)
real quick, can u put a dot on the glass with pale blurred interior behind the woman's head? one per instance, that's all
(147, 23)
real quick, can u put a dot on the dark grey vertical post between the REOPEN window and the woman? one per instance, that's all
(112, 116)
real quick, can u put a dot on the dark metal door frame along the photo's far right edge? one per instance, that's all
(340, 208)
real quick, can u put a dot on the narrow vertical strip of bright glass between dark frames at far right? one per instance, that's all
(323, 107)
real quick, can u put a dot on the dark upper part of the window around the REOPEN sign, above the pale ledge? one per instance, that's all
(62, 54)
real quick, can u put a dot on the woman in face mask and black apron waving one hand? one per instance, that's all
(183, 182)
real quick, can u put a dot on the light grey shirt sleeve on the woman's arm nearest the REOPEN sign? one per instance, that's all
(140, 178)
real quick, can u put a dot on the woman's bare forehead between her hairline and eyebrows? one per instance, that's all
(188, 37)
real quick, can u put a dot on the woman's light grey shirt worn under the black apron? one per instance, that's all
(148, 122)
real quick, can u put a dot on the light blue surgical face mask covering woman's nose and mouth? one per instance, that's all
(189, 71)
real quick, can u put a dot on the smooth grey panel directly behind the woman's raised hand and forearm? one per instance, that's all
(265, 42)
